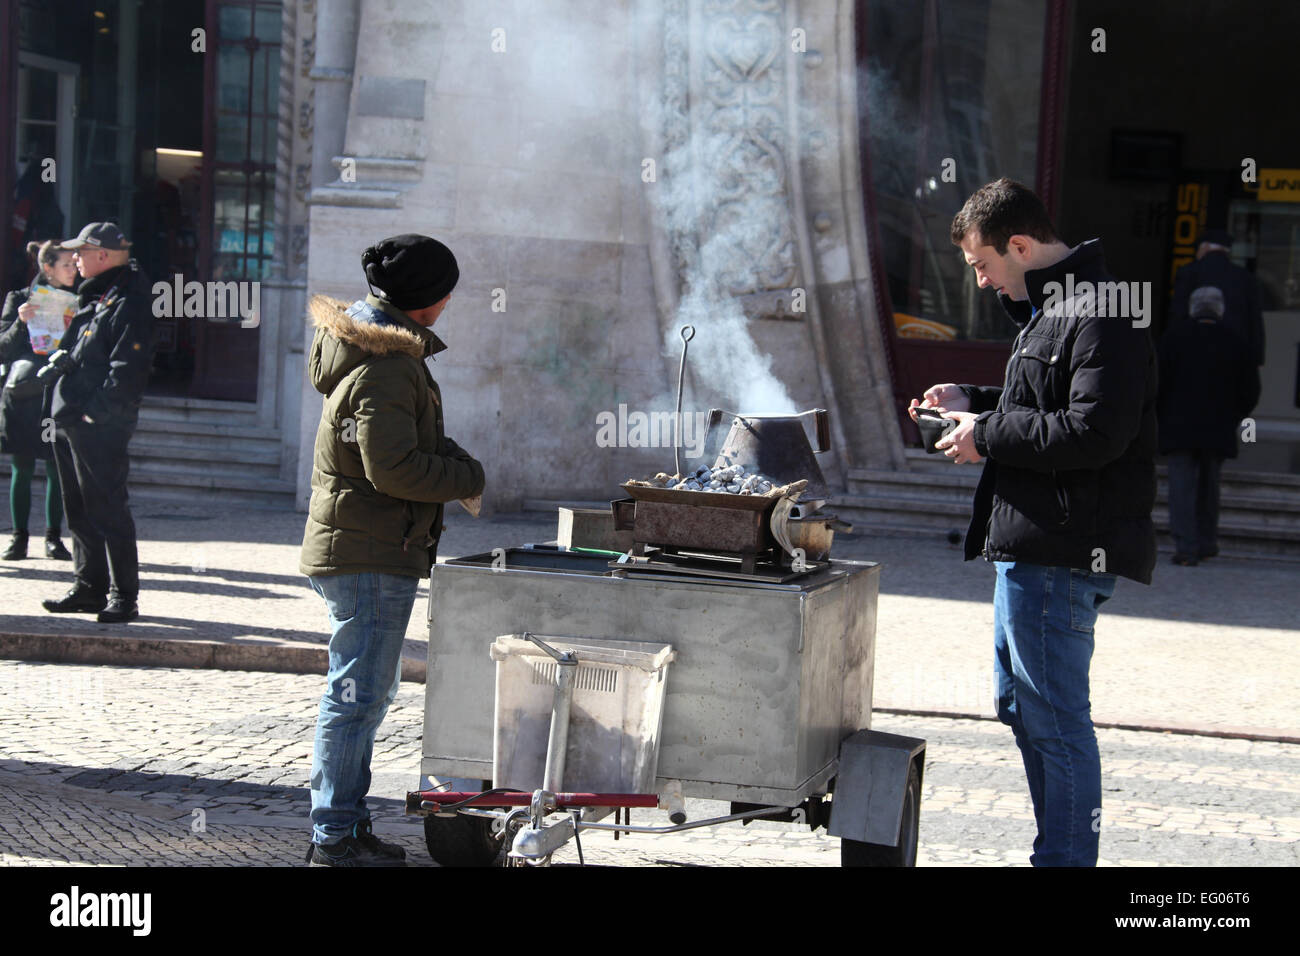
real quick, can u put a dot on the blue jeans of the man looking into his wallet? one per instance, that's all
(1043, 648)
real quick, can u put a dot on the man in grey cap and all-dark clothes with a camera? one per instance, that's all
(99, 375)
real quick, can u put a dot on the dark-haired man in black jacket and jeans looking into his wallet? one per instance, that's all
(1064, 504)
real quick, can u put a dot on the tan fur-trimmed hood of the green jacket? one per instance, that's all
(346, 336)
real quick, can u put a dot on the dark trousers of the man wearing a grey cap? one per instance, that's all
(93, 468)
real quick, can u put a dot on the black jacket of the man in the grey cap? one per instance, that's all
(111, 343)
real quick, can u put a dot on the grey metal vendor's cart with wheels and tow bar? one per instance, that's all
(766, 704)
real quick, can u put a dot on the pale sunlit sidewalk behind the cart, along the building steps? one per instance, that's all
(1204, 648)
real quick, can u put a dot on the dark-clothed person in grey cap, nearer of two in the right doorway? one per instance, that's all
(1208, 383)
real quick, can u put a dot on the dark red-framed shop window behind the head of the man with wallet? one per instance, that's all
(947, 109)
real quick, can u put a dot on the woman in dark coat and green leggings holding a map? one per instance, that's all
(21, 404)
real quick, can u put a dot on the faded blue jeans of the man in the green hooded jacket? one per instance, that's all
(369, 616)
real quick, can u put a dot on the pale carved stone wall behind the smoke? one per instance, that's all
(519, 135)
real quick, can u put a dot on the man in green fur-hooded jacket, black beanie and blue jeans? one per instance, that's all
(382, 474)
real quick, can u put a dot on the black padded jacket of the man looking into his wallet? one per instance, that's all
(1071, 438)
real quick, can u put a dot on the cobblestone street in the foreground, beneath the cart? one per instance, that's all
(159, 767)
